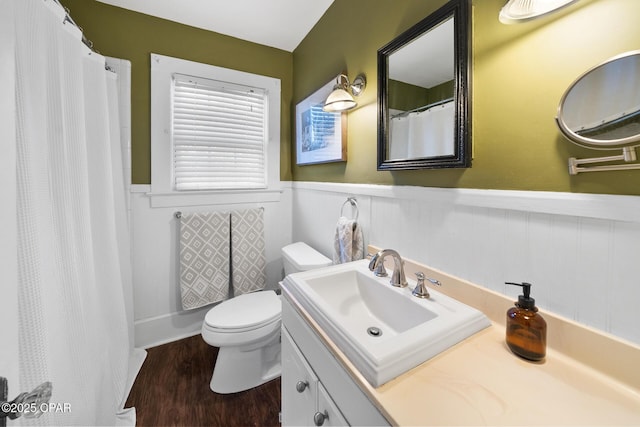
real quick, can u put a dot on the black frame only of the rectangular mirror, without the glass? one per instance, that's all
(461, 157)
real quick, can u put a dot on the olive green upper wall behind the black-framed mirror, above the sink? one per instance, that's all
(519, 73)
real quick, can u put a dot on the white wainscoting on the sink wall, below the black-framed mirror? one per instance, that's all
(579, 251)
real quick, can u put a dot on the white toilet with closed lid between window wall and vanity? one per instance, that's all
(247, 329)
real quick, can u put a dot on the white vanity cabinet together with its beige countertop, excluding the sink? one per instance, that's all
(587, 378)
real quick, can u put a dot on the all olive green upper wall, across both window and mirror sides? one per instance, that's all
(519, 73)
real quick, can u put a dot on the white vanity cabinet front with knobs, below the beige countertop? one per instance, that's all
(316, 390)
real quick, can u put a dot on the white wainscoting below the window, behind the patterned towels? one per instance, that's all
(159, 317)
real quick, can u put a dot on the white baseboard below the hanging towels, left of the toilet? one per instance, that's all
(167, 328)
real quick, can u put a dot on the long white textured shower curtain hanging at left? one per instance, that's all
(71, 222)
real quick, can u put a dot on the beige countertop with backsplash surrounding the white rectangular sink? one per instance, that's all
(587, 378)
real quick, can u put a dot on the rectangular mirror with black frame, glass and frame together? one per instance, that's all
(423, 93)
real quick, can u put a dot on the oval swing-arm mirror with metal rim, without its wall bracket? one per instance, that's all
(601, 109)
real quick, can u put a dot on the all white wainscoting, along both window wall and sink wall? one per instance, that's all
(580, 251)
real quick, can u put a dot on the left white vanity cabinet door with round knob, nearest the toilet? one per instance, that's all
(299, 386)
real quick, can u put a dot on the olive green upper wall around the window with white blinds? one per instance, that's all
(134, 36)
